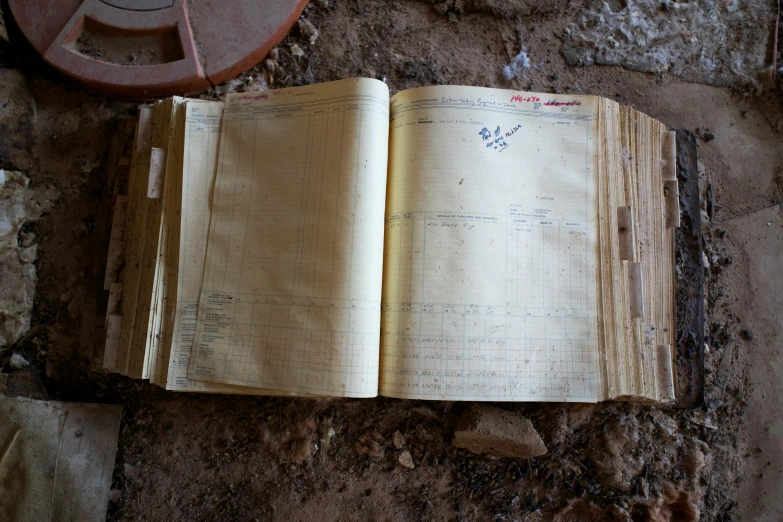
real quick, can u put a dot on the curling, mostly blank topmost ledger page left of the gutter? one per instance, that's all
(292, 281)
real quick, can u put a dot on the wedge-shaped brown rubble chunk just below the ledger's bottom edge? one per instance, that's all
(492, 431)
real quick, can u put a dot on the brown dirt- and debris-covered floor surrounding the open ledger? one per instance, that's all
(192, 457)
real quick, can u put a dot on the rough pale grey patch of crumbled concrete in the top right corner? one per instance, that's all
(655, 36)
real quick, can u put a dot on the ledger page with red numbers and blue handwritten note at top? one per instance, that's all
(491, 247)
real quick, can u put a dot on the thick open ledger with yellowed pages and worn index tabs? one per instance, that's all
(450, 243)
